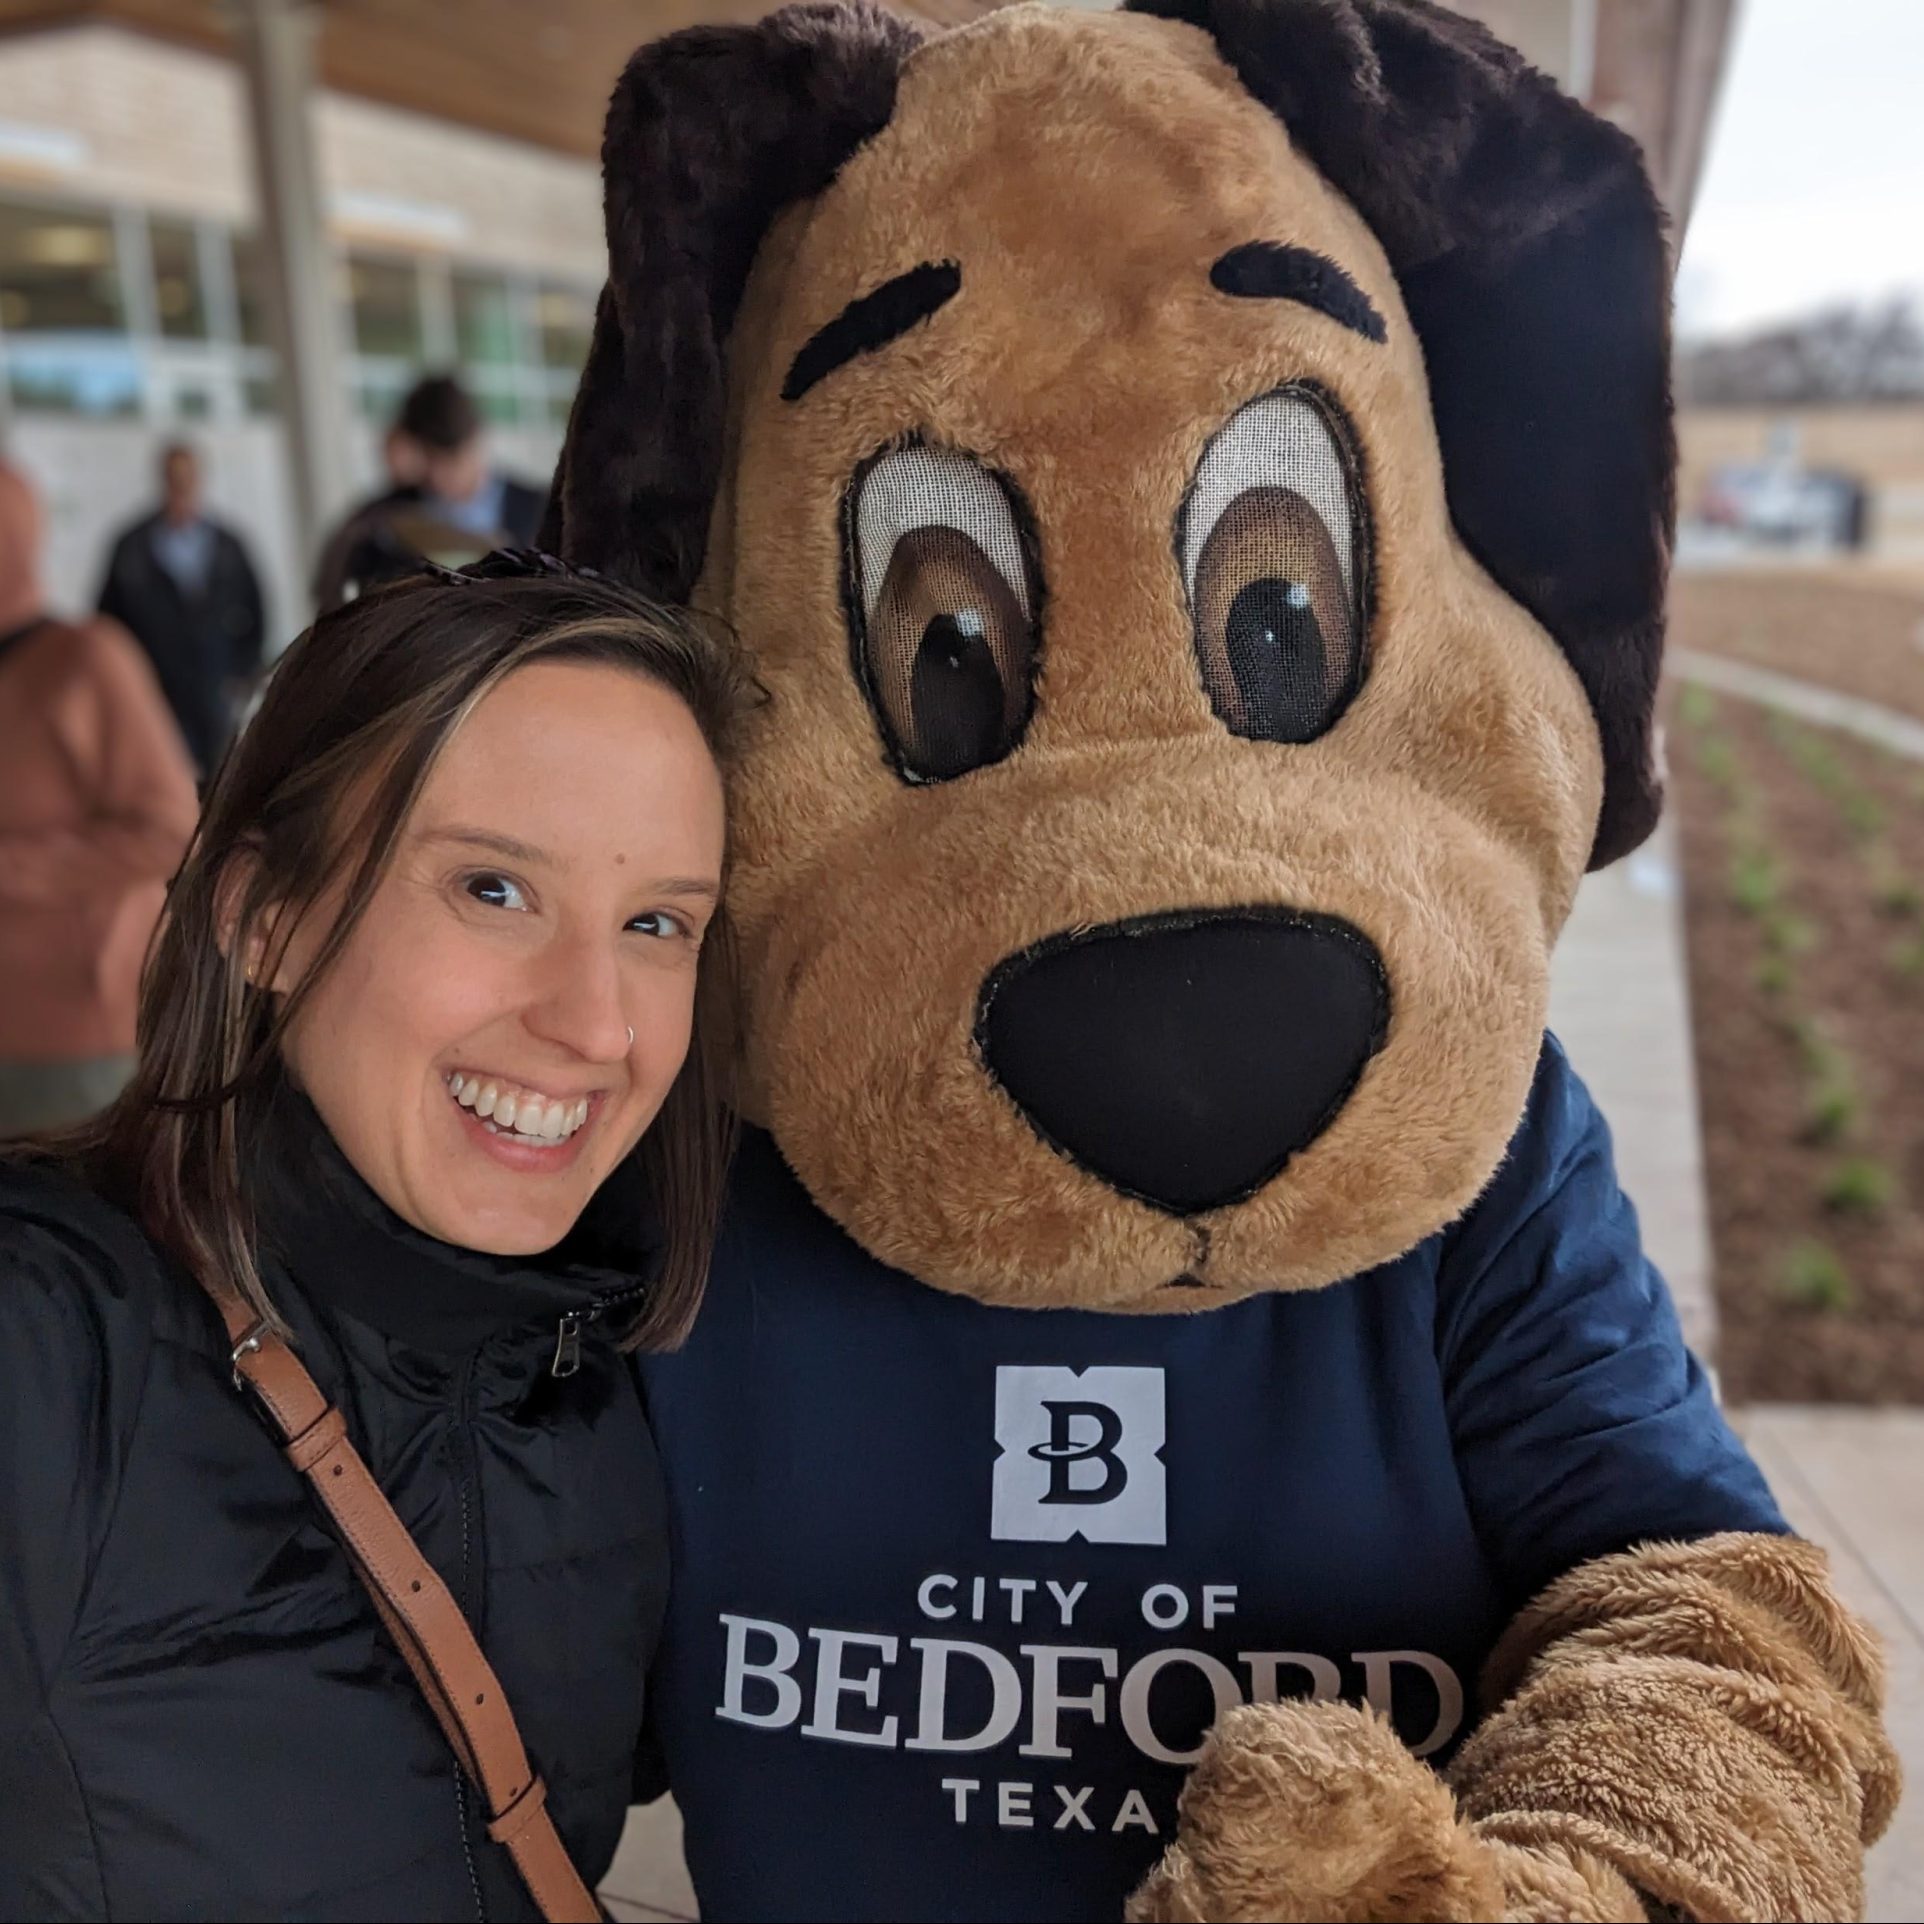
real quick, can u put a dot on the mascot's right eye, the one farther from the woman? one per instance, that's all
(1275, 559)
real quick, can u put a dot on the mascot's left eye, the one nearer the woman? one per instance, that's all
(946, 597)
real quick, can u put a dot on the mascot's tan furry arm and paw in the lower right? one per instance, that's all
(1684, 1725)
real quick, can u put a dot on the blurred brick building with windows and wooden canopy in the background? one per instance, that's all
(455, 155)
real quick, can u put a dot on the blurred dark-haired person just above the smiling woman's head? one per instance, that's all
(445, 501)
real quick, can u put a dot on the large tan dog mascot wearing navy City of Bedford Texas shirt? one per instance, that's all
(1182, 1419)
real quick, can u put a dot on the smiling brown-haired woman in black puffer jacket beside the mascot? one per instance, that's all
(432, 1078)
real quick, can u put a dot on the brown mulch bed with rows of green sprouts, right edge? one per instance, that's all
(1804, 863)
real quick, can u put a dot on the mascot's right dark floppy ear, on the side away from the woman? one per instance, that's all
(1531, 253)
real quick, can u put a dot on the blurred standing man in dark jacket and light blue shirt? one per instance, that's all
(188, 592)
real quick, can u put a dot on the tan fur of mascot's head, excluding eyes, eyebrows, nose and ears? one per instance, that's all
(1448, 815)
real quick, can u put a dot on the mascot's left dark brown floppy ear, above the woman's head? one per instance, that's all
(711, 136)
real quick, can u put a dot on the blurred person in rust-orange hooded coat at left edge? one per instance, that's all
(95, 815)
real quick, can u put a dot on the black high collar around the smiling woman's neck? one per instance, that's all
(347, 1252)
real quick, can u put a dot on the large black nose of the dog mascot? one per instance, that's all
(1186, 1059)
